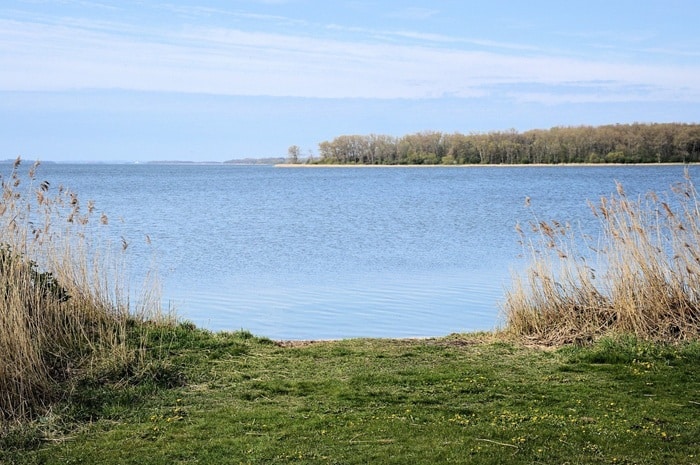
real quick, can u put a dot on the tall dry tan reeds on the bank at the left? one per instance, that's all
(64, 302)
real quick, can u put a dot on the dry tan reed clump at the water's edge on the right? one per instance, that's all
(641, 276)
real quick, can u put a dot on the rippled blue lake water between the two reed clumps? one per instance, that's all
(339, 252)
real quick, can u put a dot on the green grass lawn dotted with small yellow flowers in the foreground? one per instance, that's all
(459, 399)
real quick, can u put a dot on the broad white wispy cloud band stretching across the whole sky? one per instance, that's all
(227, 61)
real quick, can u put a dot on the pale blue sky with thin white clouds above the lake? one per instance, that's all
(136, 80)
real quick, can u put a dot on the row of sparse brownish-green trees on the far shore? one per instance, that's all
(628, 143)
